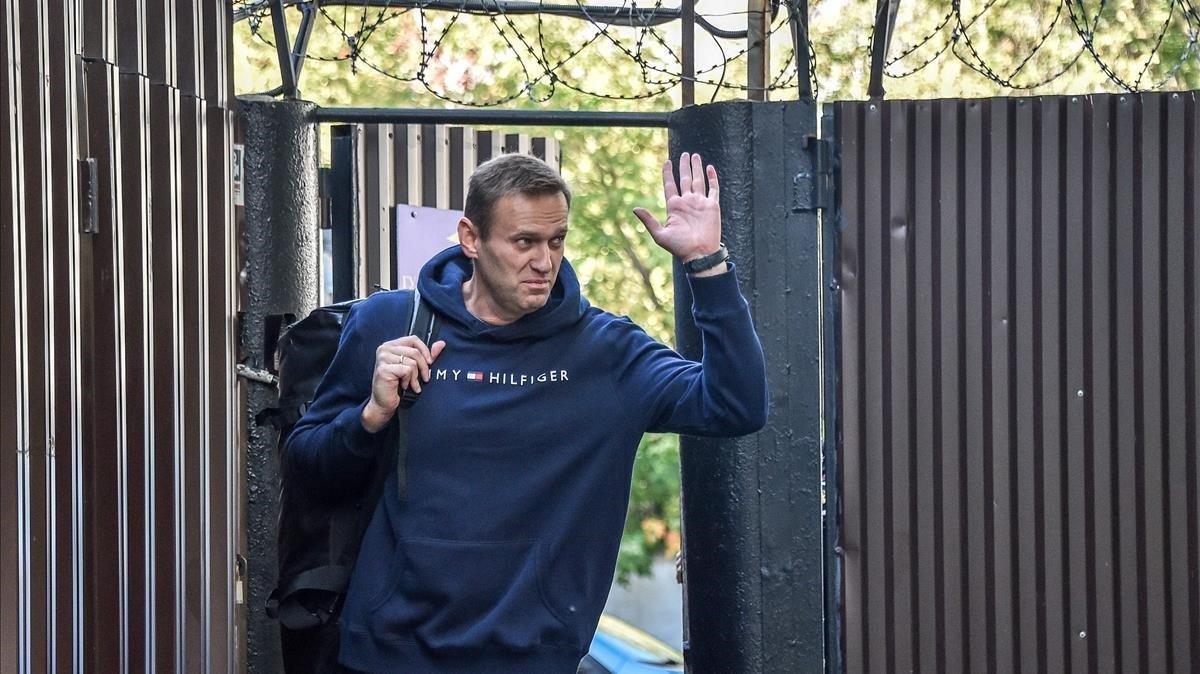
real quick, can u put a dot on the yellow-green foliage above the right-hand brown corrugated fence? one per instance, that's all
(1023, 41)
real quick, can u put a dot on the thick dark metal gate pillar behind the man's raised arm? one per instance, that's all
(752, 515)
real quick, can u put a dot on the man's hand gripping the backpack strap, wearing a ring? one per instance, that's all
(400, 365)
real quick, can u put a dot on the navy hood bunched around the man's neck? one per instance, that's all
(441, 285)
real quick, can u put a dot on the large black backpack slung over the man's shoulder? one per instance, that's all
(319, 541)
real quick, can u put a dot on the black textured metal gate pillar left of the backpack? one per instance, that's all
(279, 276)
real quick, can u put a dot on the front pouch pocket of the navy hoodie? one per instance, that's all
(466, 594)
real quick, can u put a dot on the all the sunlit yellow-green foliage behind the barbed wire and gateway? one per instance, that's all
(359, 61)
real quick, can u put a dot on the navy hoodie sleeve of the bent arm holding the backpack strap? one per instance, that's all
(329, 449)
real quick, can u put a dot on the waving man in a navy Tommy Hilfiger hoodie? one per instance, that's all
(499, 553)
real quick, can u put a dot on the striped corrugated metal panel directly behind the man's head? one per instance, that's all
(423, 166)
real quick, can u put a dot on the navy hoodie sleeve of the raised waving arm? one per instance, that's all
(725, 395)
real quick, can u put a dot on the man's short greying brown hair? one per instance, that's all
(509, 174)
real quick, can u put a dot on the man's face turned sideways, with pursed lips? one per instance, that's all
(518, 264)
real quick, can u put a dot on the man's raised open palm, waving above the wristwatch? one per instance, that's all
(693, 228)
